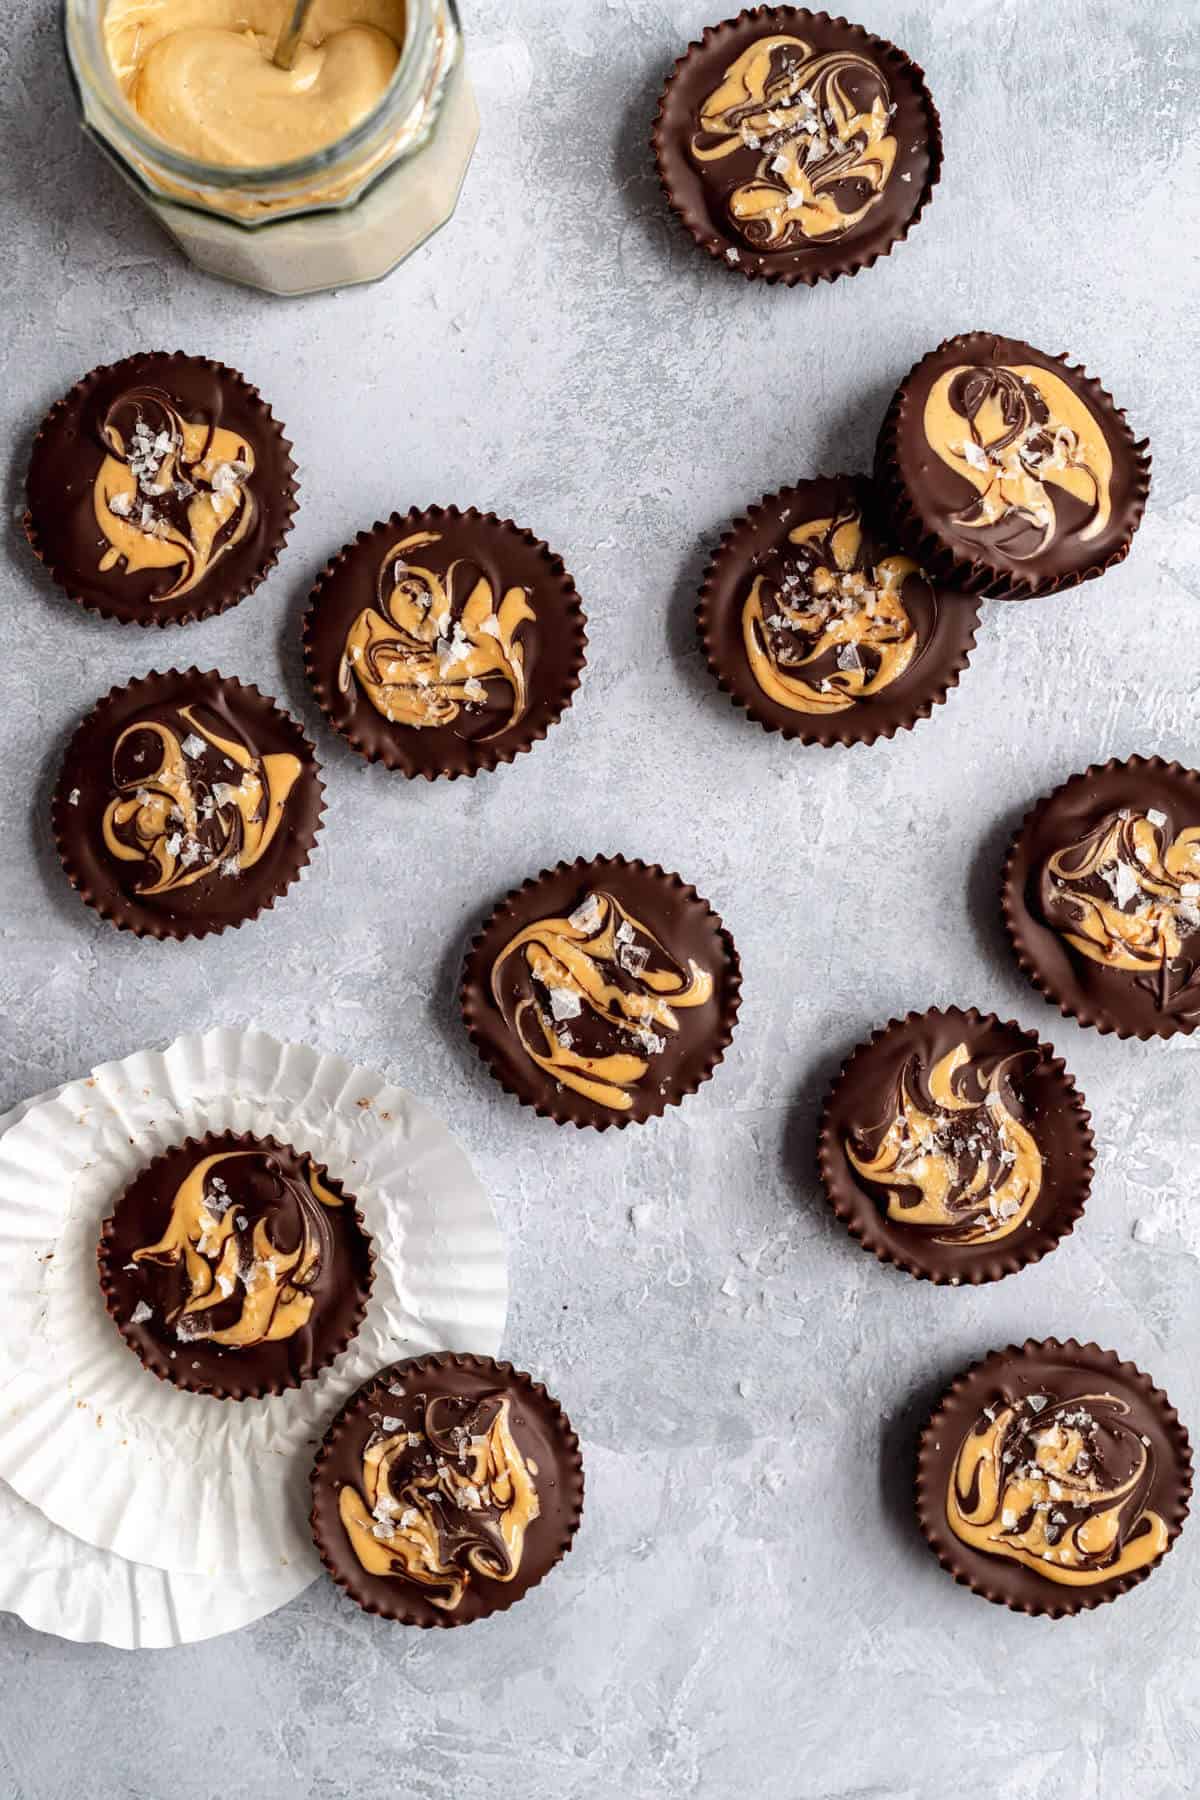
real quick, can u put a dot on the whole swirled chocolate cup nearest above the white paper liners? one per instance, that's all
(211, 793)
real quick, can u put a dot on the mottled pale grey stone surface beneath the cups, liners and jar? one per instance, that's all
(749, 1606)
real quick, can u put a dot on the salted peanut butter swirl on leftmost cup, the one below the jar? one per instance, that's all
(170, 494)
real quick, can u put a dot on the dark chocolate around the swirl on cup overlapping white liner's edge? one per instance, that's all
(548, 1448)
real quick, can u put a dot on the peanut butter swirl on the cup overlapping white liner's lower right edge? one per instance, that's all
(445, 1504)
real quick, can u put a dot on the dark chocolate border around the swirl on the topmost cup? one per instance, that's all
(908, 192)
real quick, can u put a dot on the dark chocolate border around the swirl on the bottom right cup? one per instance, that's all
(1021, 1371)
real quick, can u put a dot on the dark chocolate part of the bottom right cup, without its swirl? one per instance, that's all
(1052, 1372)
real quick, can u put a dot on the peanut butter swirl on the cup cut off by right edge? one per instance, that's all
(1127, 895)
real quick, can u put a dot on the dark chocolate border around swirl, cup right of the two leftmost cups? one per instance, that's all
(348, 586)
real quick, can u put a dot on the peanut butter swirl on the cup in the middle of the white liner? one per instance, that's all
(253, 1252)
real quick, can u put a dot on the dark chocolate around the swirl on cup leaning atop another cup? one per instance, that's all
(992, 575)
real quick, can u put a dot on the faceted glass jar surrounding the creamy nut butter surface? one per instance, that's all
(341, 215)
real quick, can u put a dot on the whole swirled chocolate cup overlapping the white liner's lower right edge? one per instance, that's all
(497, 1507)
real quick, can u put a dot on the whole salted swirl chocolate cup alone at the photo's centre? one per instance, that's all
(602, 993)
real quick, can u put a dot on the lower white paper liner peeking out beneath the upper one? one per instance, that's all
(57, 1583)
